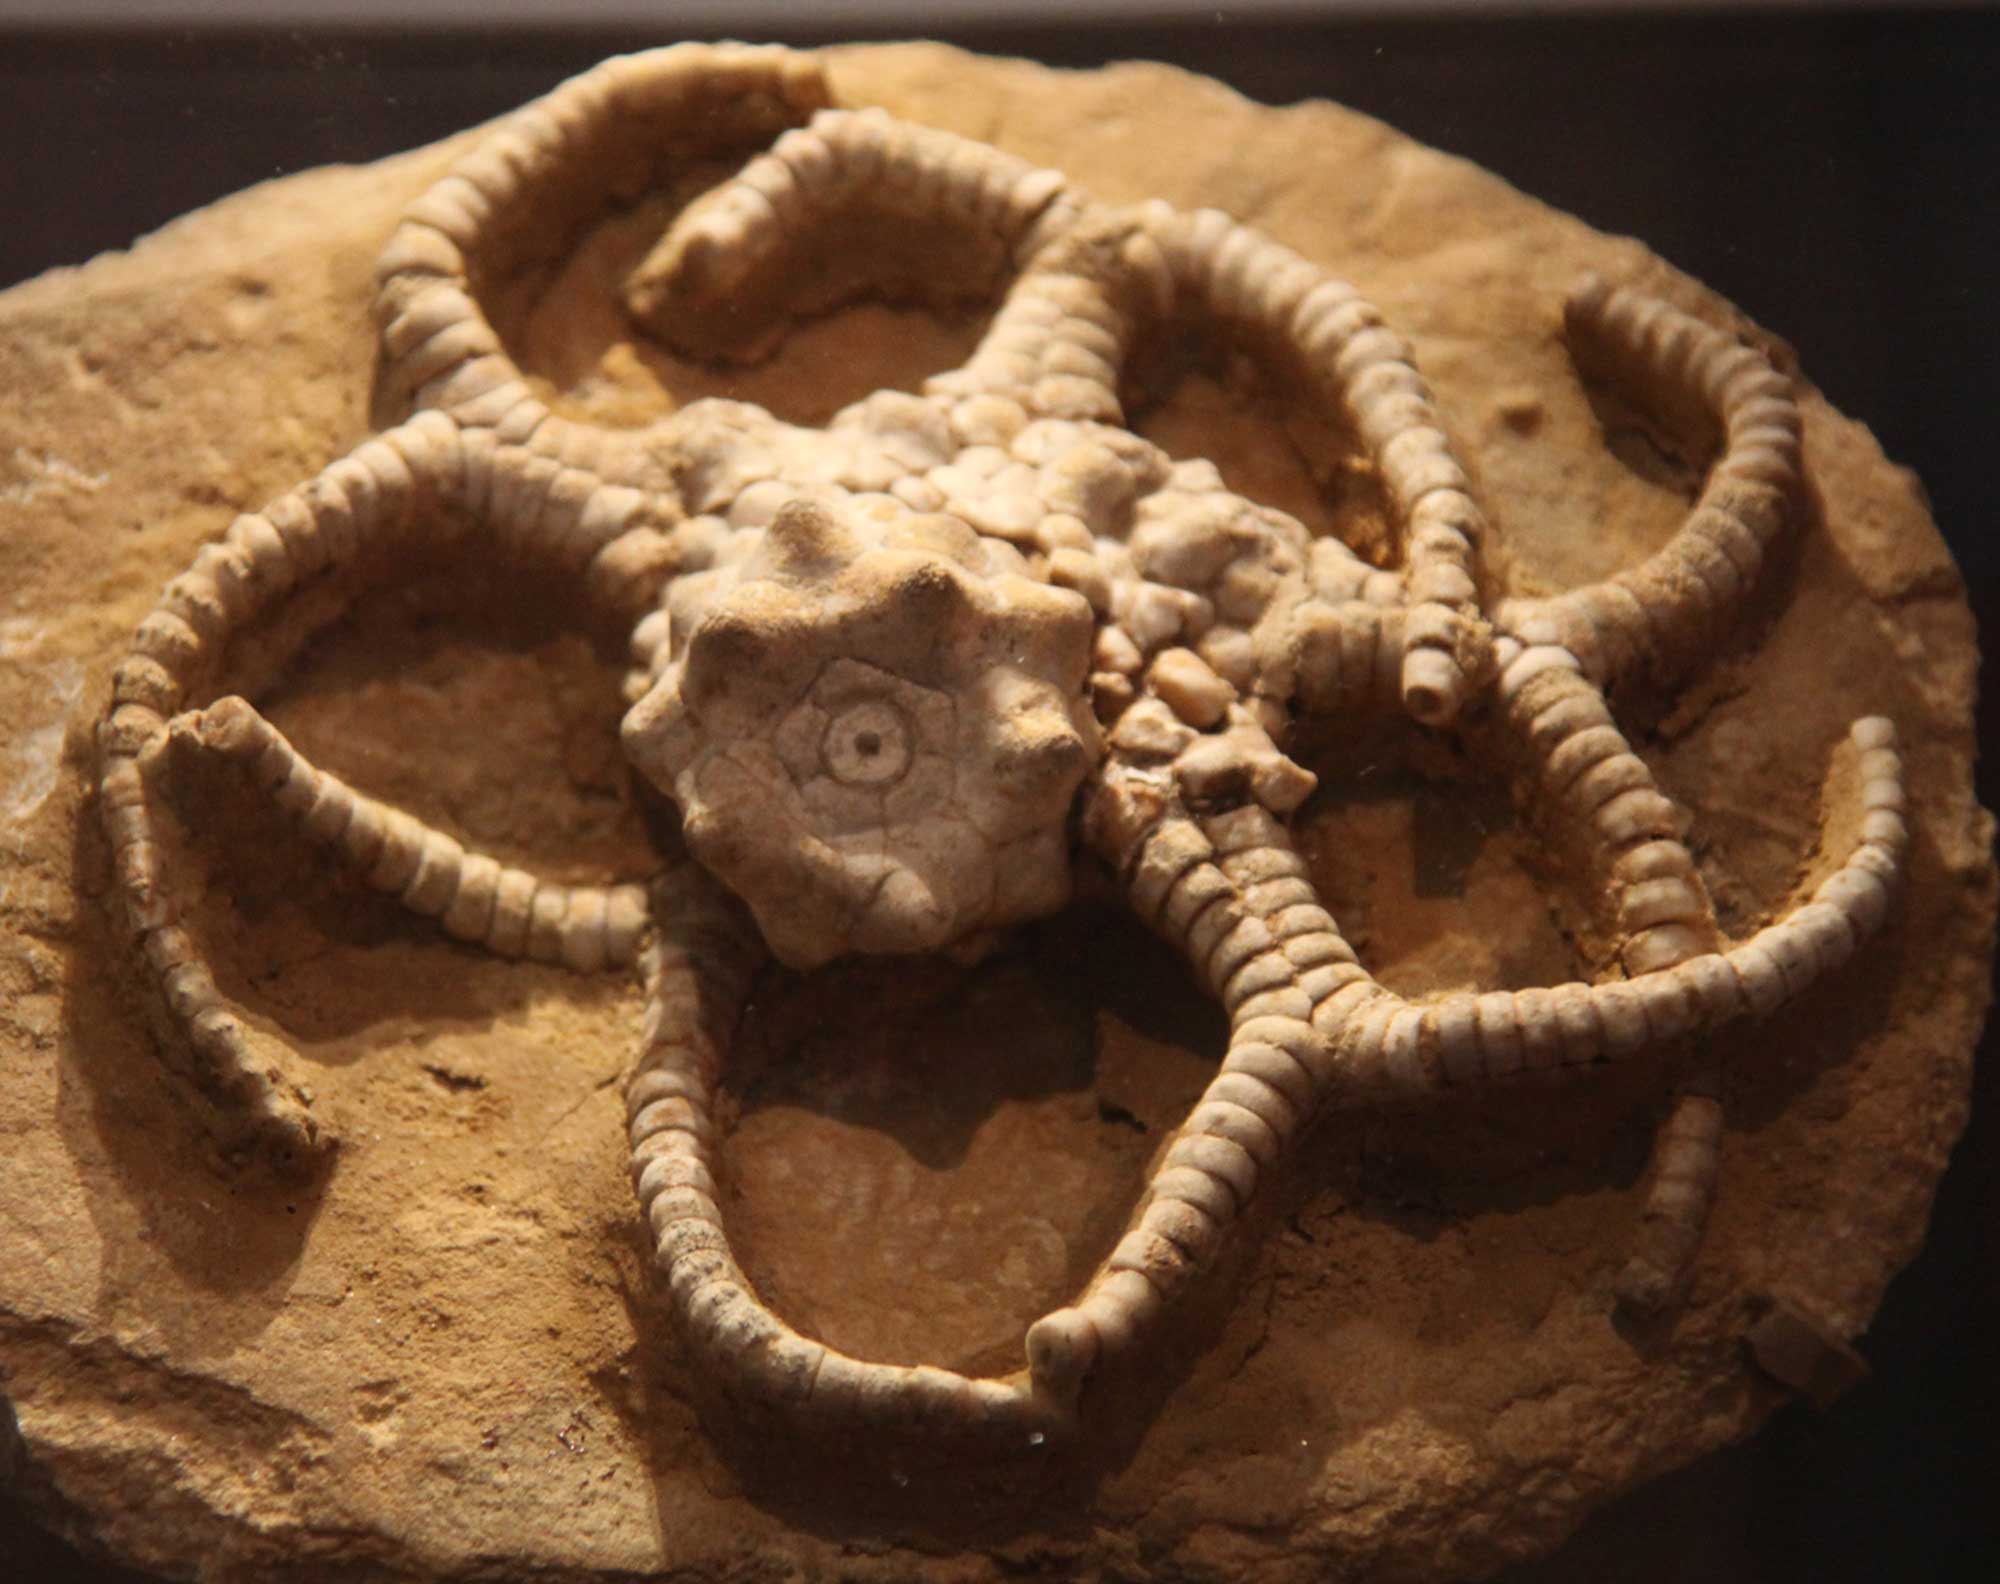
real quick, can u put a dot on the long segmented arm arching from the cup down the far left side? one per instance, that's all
(365, 515)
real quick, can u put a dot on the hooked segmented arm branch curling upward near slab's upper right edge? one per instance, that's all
(1667, 615)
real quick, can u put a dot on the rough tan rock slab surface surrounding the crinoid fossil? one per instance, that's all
(445, 1361)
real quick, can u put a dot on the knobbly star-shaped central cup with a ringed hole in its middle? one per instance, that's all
(873, 729)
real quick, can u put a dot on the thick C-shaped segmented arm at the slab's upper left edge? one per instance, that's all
(521, 197)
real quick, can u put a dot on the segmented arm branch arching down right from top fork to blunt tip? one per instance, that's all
(1339, 343)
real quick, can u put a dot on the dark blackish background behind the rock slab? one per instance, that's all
(1833, 173)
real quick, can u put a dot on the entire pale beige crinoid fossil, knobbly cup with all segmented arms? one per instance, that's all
(883, 667)
